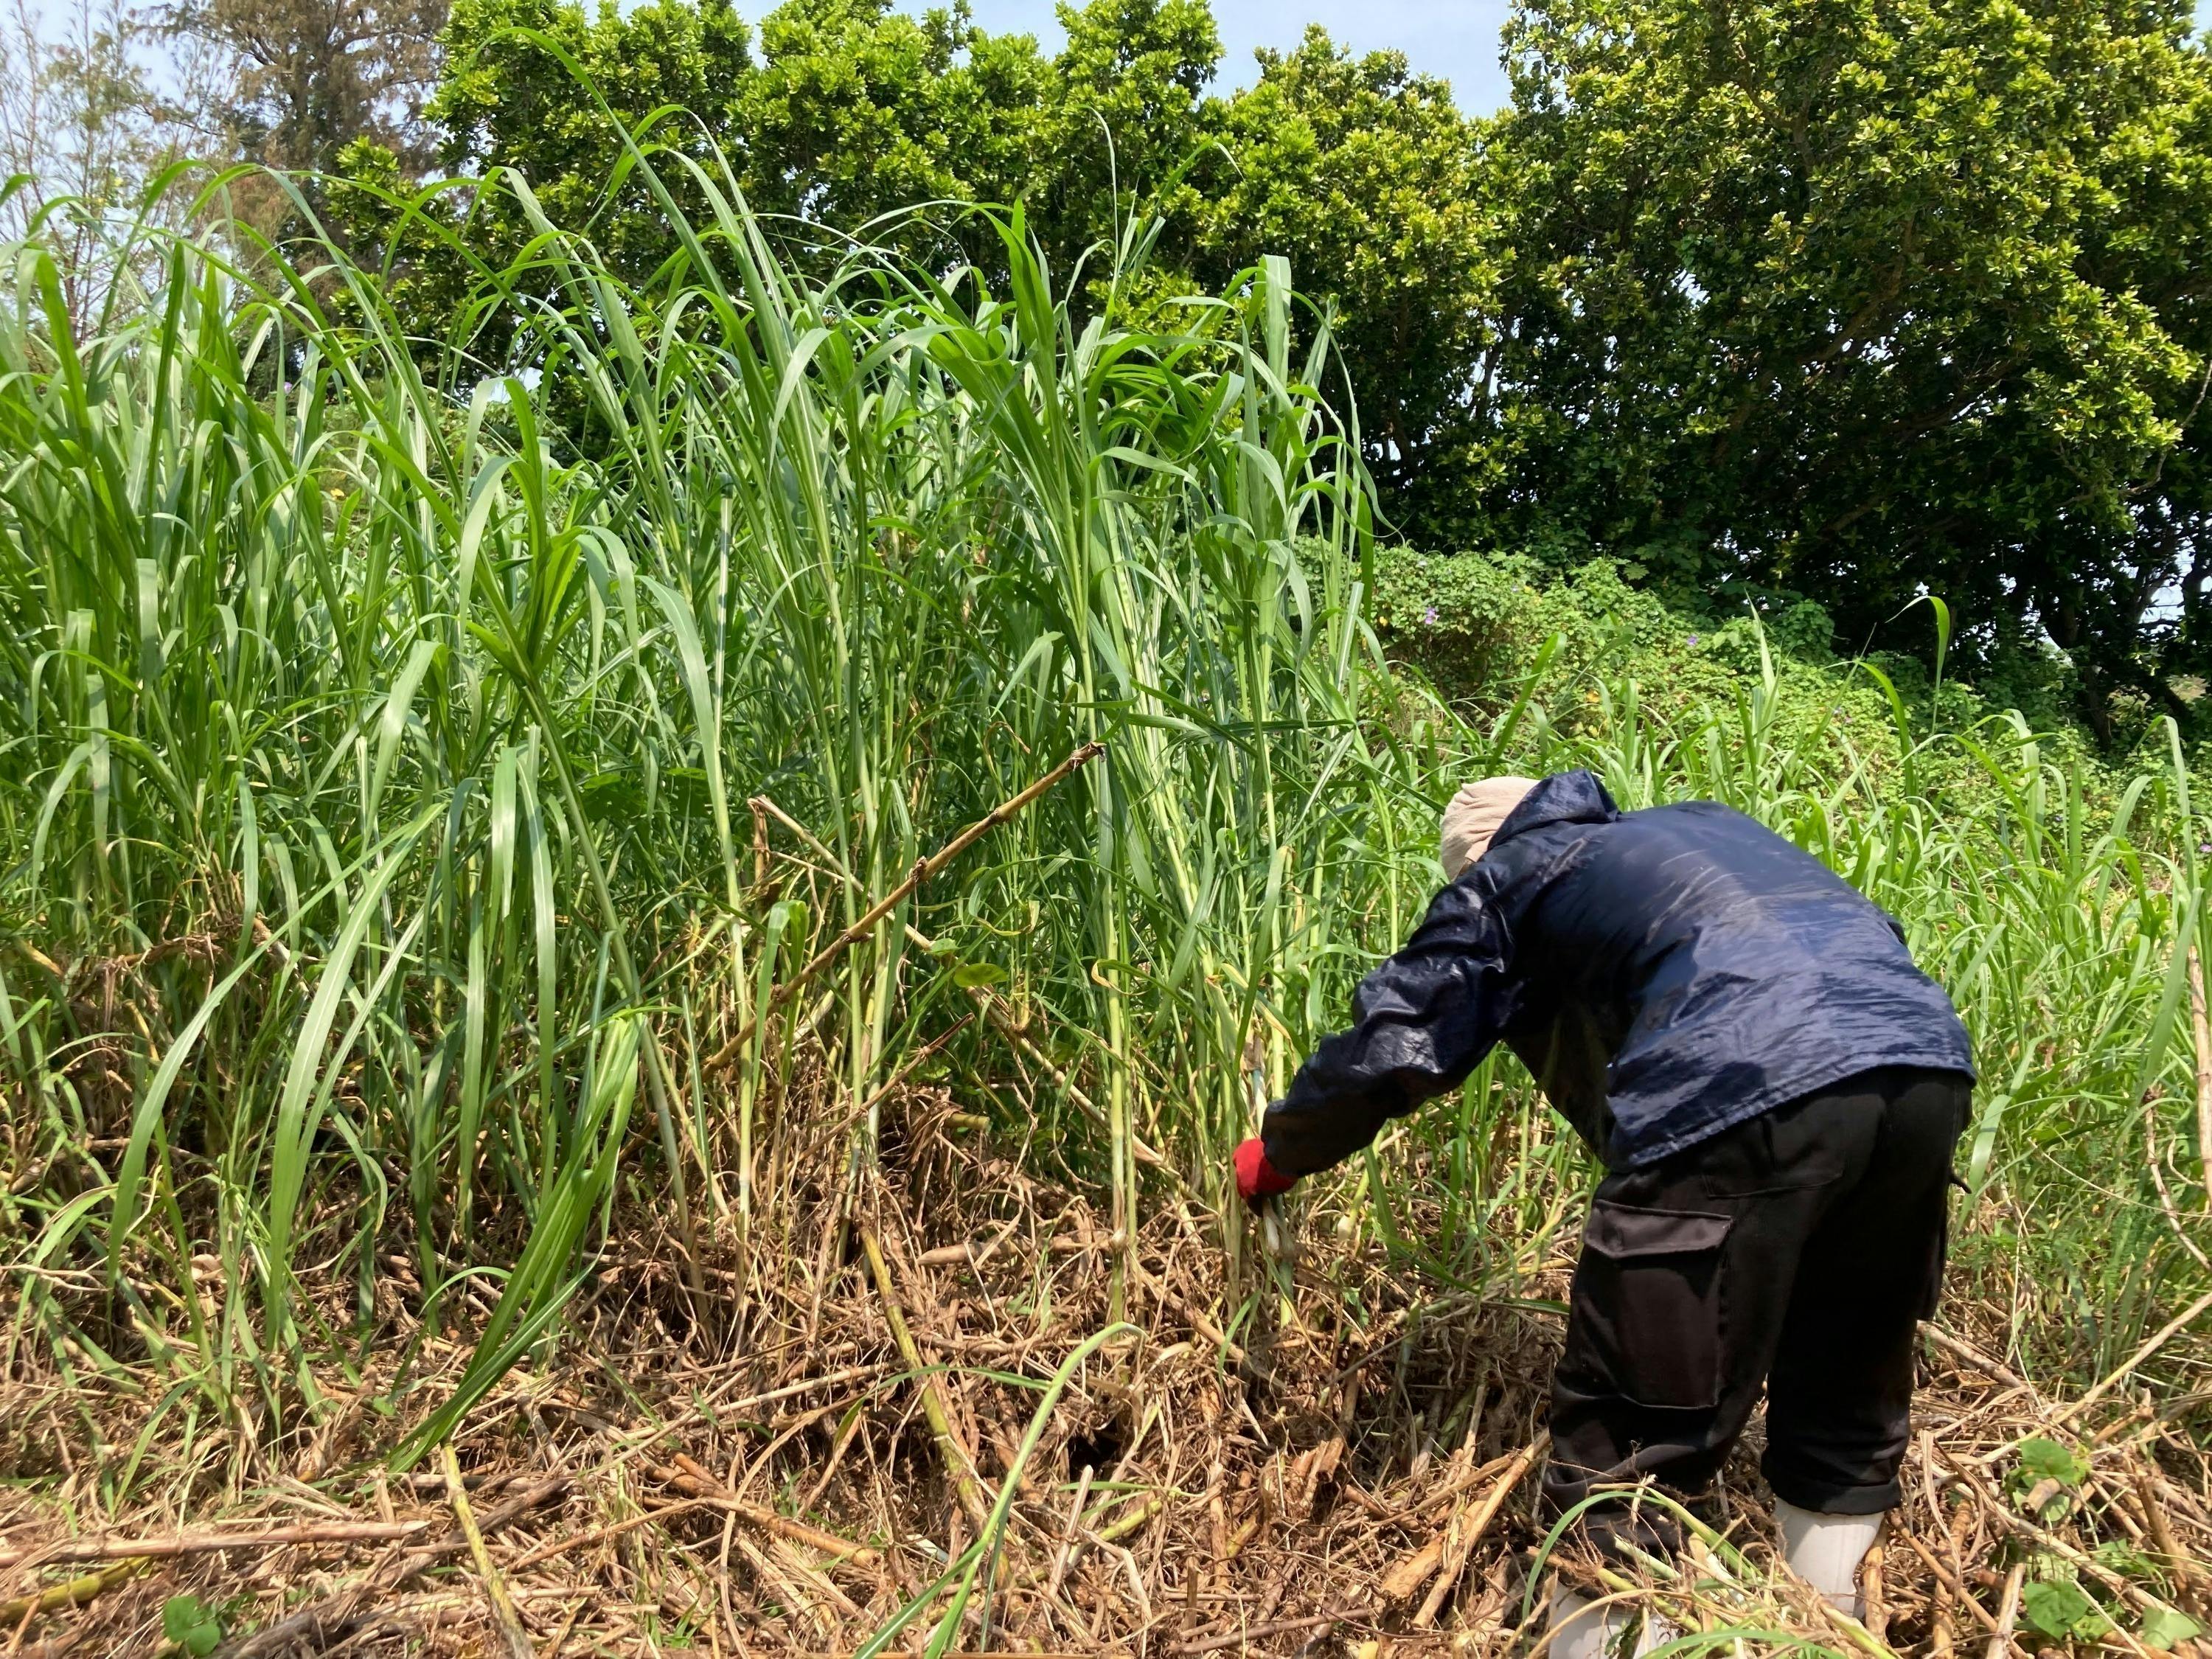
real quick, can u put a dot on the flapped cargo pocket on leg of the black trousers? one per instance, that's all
(1647, 1313)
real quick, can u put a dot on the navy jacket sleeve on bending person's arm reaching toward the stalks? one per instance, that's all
(1421, 1023)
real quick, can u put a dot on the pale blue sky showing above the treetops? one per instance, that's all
(1452, 39)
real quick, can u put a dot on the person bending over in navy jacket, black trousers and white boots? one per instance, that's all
(1775, 1092)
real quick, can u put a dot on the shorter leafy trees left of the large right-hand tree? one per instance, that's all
(844, 114)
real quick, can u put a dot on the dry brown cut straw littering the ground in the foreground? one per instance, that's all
(789, 1461)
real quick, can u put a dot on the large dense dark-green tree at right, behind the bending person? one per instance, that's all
(1868, 302)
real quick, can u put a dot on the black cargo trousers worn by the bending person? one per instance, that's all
(1797, 1251)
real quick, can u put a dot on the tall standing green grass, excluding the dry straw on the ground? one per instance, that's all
(390, 735)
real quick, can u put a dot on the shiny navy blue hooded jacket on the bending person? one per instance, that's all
(1662, 974)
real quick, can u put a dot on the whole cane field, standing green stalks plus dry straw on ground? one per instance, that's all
(625, 992)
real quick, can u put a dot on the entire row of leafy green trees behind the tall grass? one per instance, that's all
(1841, 300)
